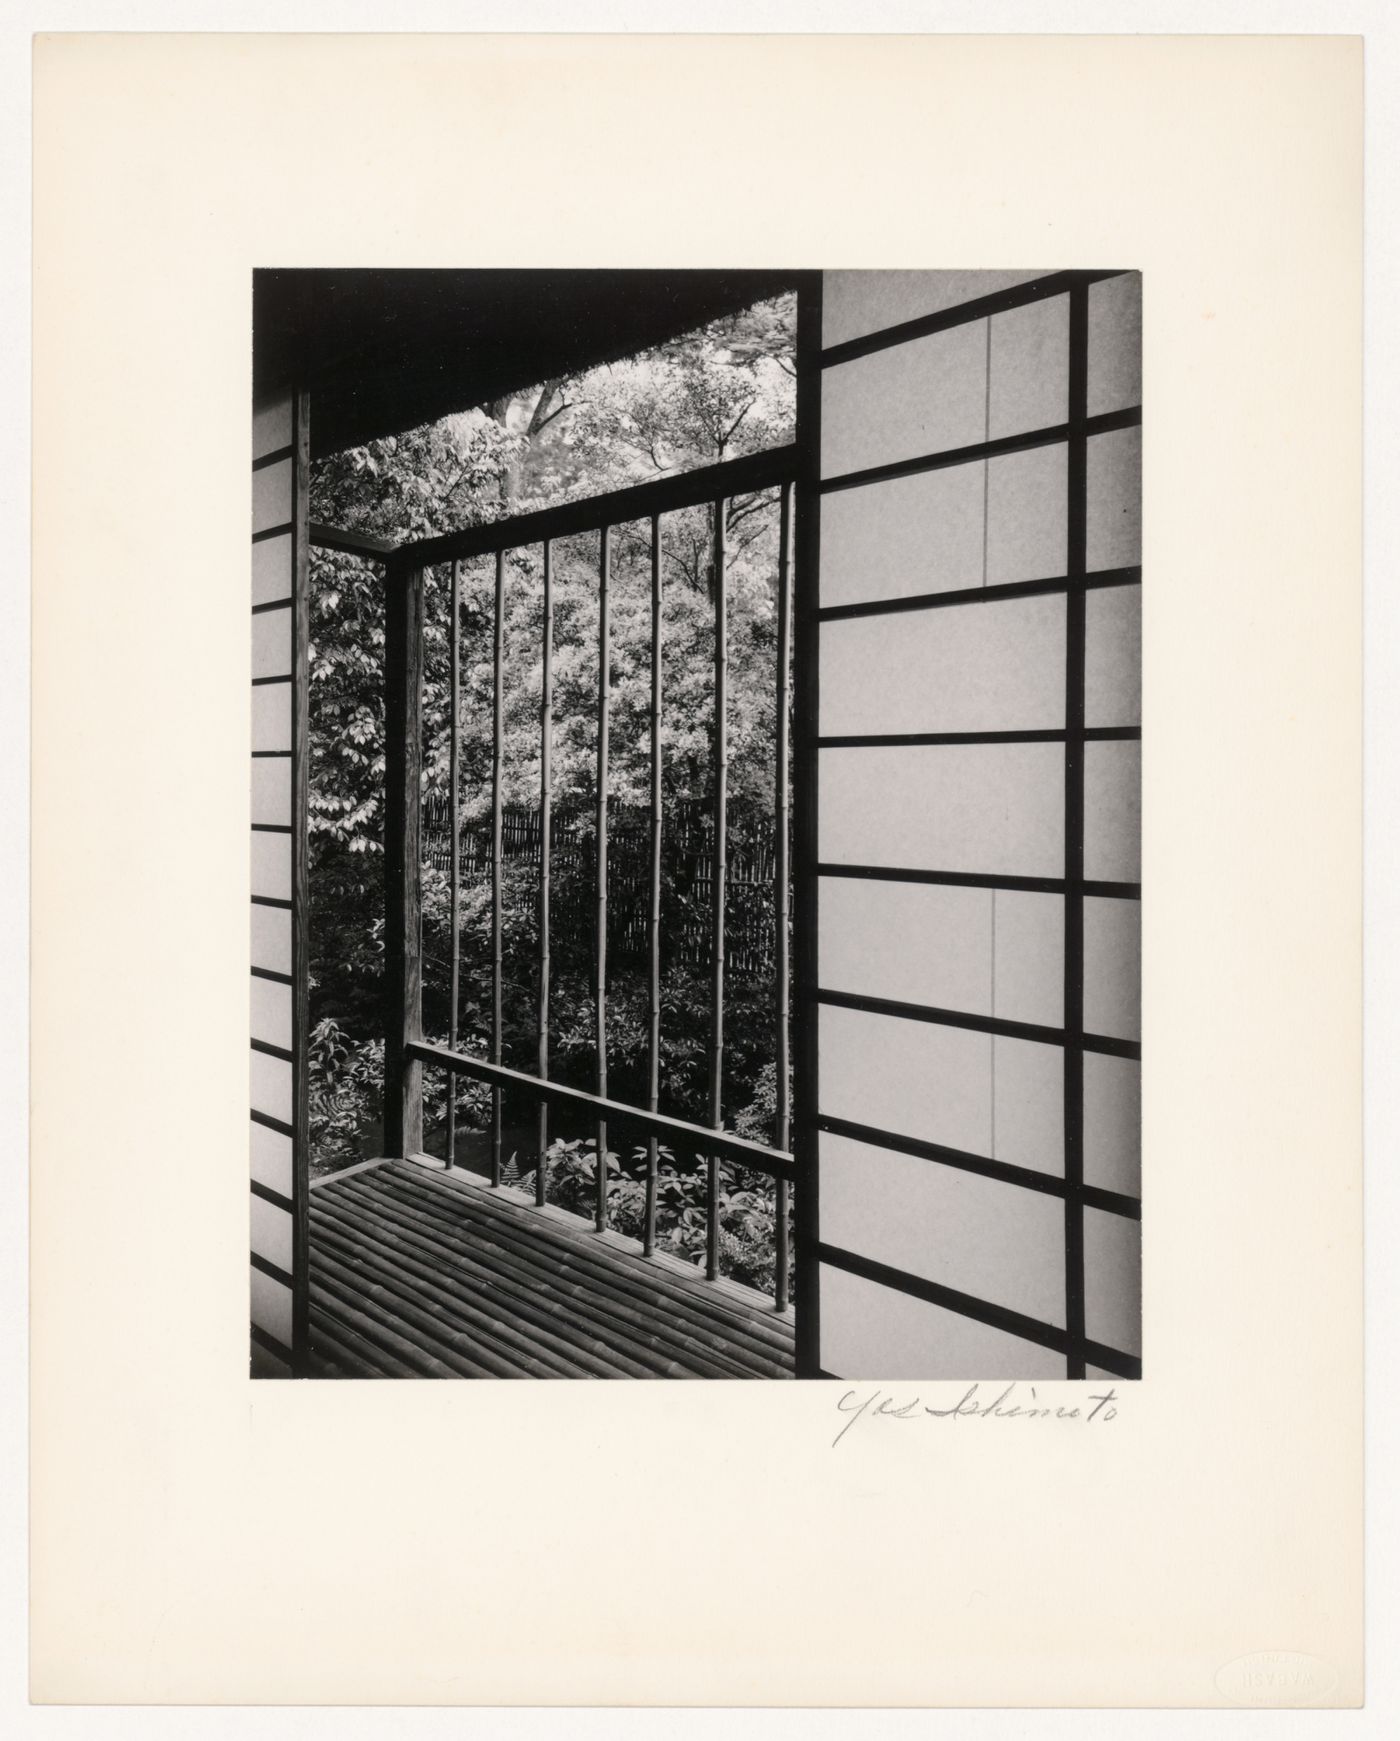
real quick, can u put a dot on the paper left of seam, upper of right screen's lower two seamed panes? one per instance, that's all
(915, 943)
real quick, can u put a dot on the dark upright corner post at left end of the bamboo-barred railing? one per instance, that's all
(403, 824)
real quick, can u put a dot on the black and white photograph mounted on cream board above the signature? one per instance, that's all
(696, 824)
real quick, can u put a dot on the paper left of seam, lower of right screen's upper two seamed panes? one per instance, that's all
(905, 537)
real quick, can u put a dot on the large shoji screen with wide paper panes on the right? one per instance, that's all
(978, 826)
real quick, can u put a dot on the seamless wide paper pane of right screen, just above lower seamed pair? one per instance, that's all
(988, 809)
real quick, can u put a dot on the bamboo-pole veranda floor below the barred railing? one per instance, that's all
(424, 1275)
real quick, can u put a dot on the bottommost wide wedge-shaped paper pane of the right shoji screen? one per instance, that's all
(873, 1333)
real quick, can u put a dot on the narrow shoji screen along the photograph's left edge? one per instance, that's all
(281, 459)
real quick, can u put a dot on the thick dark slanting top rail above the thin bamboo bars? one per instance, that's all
(617, 508)
